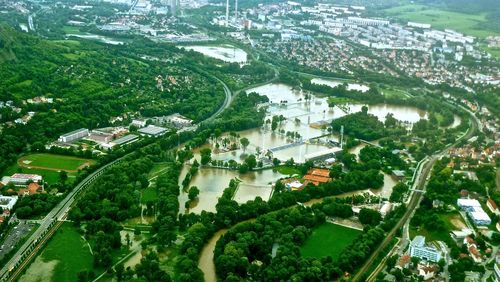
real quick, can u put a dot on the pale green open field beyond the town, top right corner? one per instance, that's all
(441, 19)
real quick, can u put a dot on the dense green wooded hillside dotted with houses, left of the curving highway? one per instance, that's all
(89, 84)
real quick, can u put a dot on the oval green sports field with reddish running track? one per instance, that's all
(54, 162)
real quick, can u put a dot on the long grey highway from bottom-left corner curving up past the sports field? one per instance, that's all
(60, 212)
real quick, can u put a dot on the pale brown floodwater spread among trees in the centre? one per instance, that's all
(302, 117)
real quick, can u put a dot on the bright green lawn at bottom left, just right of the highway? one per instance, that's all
(71, 252)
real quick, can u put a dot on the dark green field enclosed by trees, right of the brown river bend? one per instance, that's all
(328, 240)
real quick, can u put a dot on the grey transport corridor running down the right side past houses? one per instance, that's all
(416, 197)
